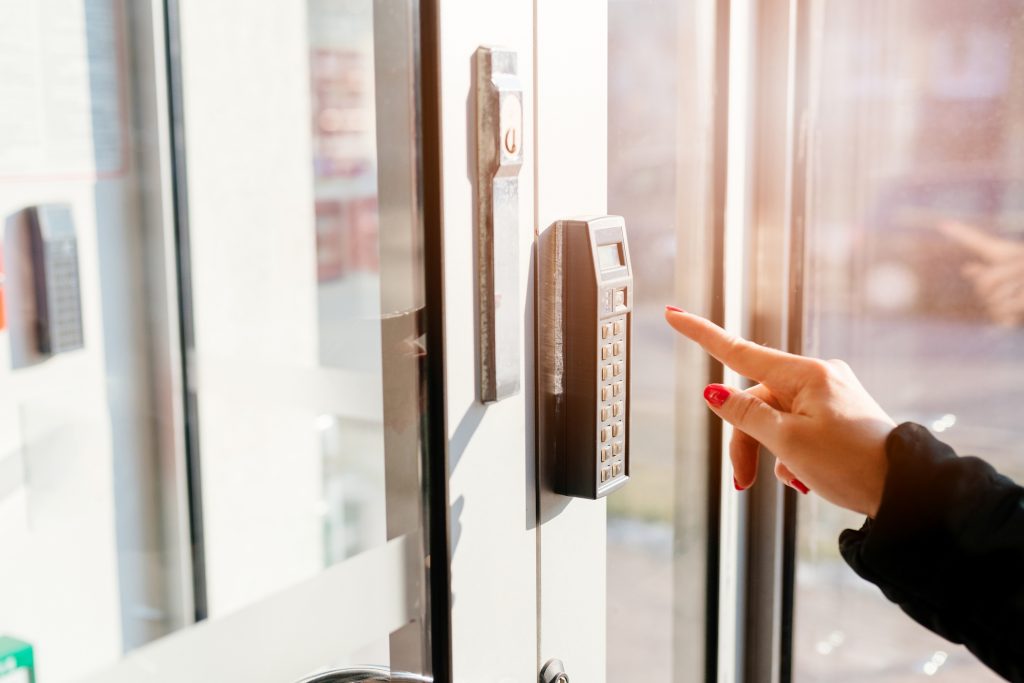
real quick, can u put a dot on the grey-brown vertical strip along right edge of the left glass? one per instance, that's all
(402, 292)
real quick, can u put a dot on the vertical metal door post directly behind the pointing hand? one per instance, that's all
(777, 319)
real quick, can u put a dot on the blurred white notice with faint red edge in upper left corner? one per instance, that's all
(62, 90)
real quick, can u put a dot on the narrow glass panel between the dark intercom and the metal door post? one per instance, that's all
(657, 537)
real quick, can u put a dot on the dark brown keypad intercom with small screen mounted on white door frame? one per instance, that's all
(585, 345)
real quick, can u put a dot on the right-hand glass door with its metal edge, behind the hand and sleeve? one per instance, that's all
(885, 231)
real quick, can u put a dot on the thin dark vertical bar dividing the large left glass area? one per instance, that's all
(180, 186)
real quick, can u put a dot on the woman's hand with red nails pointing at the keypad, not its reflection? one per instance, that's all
(818, 420)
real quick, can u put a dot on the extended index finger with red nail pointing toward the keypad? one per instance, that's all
(777, 370)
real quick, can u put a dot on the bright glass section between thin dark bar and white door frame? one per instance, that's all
(307, 295)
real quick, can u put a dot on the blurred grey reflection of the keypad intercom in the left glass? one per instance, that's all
(54, 248)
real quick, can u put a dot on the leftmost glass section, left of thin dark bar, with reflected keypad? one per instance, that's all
(95, 558)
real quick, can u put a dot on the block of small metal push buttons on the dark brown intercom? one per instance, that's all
(612, 411)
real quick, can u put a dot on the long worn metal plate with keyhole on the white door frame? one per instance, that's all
(499, 146)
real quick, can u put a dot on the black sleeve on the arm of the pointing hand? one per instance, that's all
(948, 546)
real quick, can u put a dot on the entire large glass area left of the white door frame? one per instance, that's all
(293, 521)
